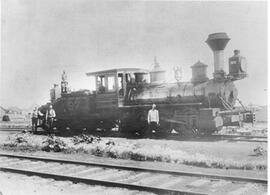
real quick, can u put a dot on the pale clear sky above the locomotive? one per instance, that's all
(40, 39)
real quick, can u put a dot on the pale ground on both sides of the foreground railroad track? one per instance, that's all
(216, 157)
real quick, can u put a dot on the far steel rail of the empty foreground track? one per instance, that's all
(132, 168)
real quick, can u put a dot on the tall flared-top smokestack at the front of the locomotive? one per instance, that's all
(217, 42)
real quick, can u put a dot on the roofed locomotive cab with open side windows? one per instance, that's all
(116, 86)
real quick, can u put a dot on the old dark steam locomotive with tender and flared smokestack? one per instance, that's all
(123, 97)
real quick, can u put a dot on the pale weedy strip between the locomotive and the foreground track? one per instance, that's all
(212, 154)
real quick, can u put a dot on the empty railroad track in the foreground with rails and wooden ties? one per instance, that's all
(143, 179)
